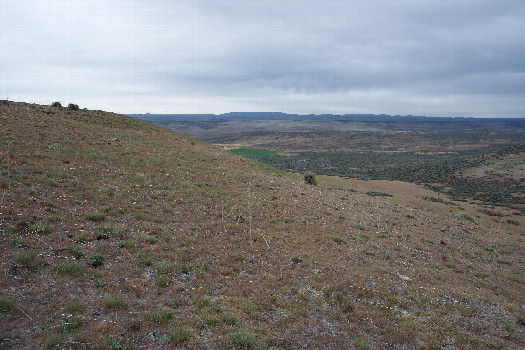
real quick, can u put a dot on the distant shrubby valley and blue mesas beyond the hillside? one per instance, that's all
(441, 153)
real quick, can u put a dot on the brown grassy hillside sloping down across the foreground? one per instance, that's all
(119, 234)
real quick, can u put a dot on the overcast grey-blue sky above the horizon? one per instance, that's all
(421, 57)
